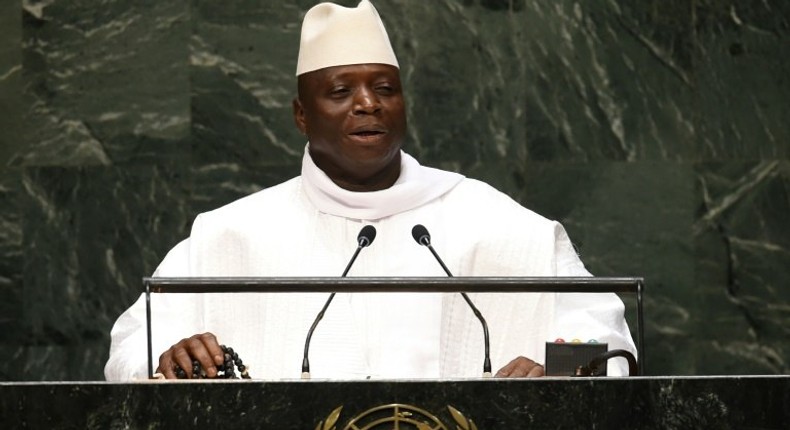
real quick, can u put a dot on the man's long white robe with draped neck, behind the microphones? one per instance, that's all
(308, 226)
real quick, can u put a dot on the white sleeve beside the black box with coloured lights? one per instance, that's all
(585, 316)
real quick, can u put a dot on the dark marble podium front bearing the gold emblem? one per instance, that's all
(491, 404)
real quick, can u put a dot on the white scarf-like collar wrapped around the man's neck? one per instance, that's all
(416, 186)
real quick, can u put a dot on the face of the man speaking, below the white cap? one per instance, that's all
(355, 120)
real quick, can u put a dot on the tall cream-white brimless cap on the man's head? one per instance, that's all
(334, 35)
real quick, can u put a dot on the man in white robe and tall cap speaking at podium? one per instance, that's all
(354, 173)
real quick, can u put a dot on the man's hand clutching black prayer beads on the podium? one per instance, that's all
(201, 347)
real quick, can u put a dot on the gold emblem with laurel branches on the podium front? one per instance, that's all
(396, 416)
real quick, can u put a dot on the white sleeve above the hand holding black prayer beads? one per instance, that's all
(171, 321)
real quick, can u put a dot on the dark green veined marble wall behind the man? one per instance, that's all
(656, 131)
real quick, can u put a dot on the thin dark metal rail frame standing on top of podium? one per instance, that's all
(396, 284)
